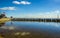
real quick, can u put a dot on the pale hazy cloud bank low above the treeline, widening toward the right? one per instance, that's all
(51, 14)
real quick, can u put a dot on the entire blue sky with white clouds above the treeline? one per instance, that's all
(30, 8)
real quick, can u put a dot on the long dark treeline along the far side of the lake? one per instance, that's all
(38, 19)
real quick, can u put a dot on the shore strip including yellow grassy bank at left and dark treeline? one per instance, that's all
(29, 19)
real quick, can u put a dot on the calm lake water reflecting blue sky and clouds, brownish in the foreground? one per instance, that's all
(19, 29)
